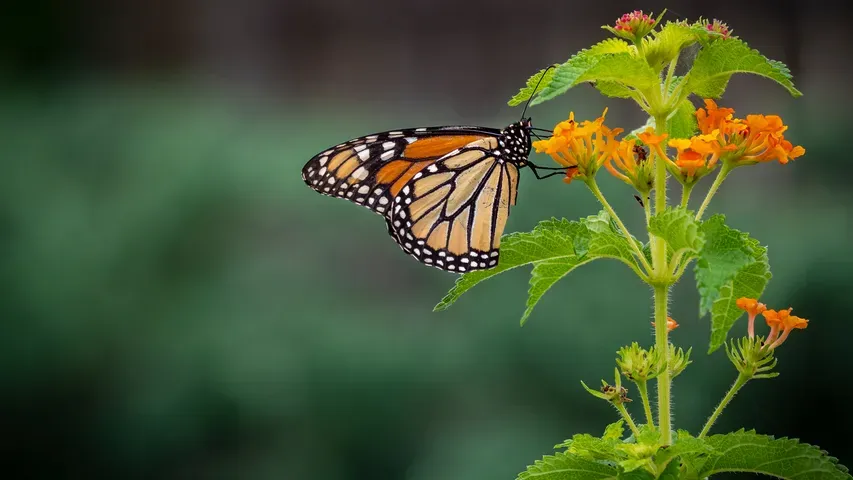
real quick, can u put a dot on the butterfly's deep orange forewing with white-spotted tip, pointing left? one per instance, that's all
(372, 170)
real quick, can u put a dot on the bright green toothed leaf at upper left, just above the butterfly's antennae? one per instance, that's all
(623, 68)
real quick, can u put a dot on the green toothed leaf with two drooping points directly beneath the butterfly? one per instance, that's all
(554, 248)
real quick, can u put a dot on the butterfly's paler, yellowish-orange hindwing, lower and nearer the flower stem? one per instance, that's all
(451, 215)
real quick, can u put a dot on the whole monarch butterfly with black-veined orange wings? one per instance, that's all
(445, 192)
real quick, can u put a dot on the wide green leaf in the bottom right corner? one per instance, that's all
(747, 451)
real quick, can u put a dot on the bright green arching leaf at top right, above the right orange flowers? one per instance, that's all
(719, 60)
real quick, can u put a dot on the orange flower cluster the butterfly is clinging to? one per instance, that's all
(582, 147)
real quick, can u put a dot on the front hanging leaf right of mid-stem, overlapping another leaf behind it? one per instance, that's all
(725, 252)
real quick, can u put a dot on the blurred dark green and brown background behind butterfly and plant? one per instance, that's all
(177, 304)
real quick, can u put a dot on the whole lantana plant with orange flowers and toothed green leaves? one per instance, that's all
(643, 62)
